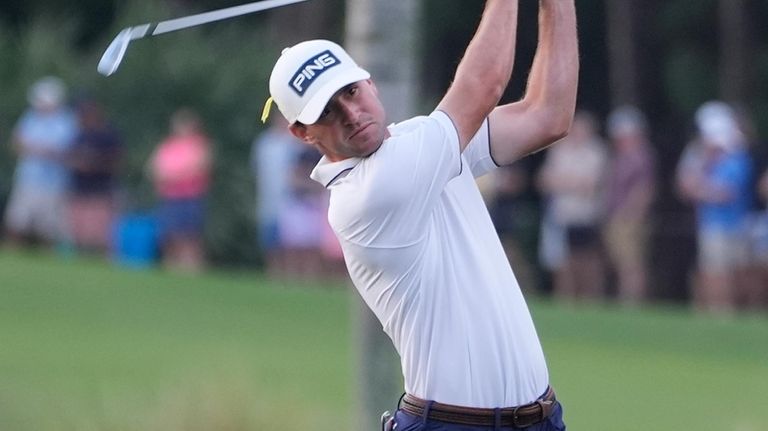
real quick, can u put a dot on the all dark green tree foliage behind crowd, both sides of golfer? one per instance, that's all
(221, 70)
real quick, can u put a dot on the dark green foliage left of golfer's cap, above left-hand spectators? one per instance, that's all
(219, 70)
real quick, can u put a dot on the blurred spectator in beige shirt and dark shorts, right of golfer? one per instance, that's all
(571, 179)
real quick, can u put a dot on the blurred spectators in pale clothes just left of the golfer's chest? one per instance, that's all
(293, 231)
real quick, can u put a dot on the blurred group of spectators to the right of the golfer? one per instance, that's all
(597, 194)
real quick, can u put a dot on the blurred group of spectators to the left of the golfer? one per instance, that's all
(66, 192)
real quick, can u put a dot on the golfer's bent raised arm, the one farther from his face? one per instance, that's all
(545, 113)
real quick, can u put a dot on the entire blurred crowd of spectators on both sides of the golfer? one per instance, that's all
(581, 217)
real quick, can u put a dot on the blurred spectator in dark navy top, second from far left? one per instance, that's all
(94, 160)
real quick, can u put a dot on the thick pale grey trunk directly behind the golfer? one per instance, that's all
(381, 38)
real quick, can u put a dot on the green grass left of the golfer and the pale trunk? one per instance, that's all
(87, 346)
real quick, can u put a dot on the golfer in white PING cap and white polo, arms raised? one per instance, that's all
(417, 239)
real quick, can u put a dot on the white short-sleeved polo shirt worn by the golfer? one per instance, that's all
(422, 251)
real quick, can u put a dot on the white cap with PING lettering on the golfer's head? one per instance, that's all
(307, 75)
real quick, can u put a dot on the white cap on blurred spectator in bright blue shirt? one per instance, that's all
(718, 126)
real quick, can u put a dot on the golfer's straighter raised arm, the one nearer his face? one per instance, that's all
(484, 72)
